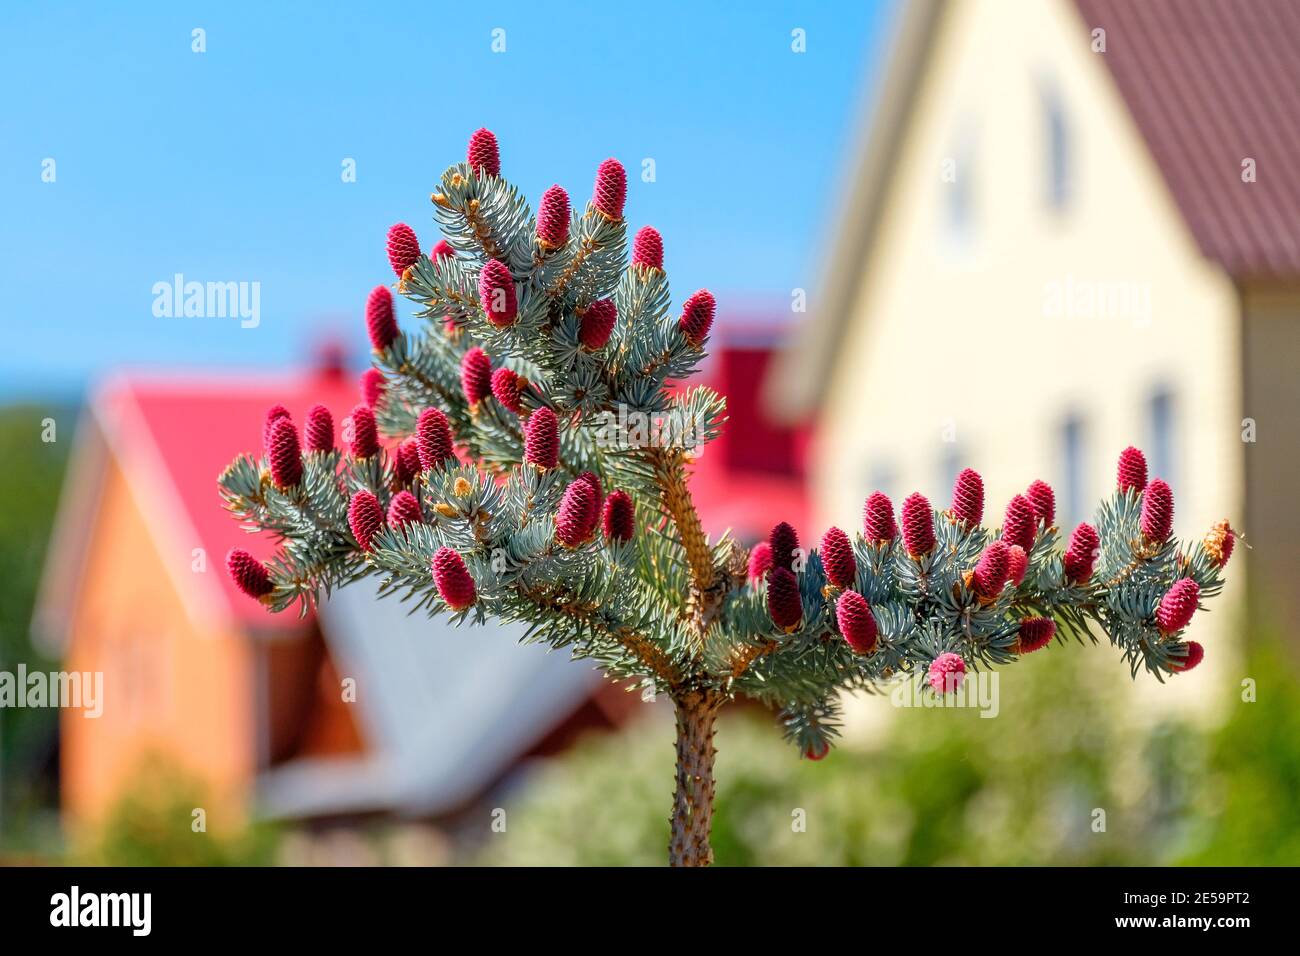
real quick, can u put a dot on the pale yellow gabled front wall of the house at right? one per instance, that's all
(951, 335)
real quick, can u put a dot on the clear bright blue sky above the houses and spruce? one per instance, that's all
(226, 166)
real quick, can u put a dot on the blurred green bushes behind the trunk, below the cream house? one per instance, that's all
(950, 788)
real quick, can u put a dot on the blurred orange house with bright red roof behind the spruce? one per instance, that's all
(255, 704)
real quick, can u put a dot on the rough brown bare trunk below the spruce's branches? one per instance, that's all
(694, 802)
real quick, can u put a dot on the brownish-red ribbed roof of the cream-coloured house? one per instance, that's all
(1211, 84)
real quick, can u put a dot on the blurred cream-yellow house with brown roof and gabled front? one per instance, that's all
(1072, 227)
